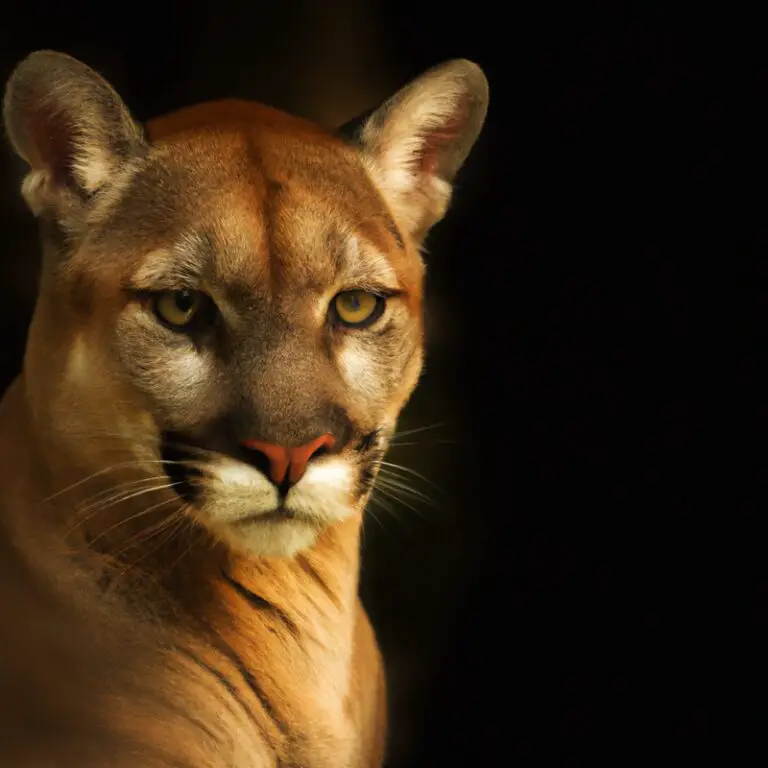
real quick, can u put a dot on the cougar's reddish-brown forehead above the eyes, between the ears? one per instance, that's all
(244, 197)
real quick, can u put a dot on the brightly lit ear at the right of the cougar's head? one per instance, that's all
(415, 143)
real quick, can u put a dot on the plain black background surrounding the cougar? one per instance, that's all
(569, 598)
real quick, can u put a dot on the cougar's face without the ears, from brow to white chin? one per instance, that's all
(276, 409)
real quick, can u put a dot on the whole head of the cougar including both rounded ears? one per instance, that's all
(233, 296)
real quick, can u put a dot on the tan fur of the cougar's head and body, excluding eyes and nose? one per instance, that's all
(196, 631)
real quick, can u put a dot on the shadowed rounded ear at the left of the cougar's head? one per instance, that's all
(71, 128)
